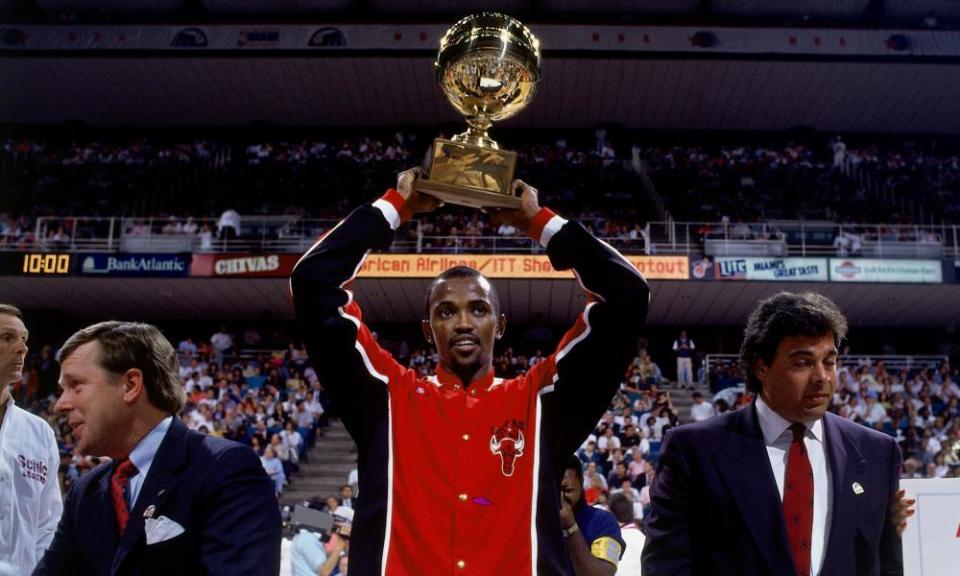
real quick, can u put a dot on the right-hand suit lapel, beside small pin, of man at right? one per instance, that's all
(846, 464)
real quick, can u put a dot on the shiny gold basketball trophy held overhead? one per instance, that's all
(488, 67)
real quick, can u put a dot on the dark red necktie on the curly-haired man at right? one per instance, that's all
(798, 501)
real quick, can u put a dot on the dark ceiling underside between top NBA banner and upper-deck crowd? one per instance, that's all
(577, 92)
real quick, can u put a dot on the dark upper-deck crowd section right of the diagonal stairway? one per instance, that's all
(756, 183)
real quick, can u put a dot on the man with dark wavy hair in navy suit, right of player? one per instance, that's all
(781, 487)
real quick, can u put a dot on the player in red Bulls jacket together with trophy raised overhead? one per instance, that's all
(460, 472)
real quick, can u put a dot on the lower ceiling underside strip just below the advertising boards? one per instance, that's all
(401, 300)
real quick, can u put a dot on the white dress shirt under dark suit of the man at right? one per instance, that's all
(778, 437)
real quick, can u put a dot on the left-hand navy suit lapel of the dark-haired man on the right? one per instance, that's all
(745, 468)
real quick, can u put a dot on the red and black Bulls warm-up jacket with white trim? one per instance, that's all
(458, 480)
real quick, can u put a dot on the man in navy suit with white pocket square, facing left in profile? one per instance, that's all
(171, 501)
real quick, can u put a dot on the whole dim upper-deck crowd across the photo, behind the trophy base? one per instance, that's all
(185, 186)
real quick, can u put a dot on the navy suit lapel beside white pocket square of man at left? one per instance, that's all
(163, 474)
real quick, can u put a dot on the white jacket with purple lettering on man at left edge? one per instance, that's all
(30, 502)
